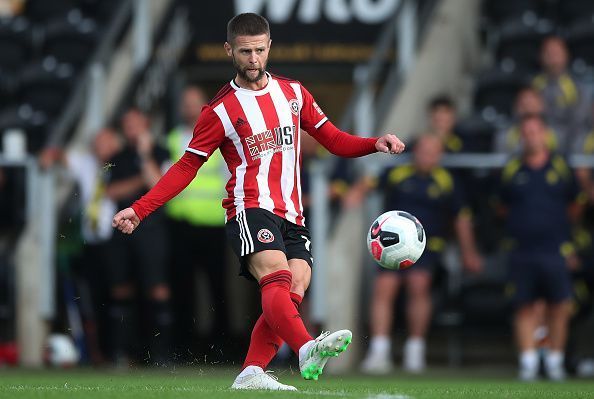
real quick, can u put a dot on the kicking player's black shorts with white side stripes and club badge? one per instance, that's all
(255, 230)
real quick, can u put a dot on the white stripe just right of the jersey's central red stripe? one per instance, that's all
(287, 175)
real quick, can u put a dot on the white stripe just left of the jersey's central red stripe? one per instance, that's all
(253, 113)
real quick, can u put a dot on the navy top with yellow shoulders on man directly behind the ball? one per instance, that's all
(434, 198)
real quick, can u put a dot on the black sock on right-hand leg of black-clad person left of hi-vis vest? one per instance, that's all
(161, 319)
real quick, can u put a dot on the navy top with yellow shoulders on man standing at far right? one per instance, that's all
(537, 201)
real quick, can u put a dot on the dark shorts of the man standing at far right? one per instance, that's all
(535, 275)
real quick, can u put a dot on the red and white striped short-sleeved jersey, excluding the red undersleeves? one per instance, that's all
(258, 133)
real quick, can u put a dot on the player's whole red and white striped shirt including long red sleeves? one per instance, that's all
(258, 133)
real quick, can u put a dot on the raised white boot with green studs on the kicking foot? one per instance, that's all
(314, 354)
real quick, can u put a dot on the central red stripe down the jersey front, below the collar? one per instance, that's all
(276, 164)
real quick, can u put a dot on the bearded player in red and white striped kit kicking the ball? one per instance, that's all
(255, 120)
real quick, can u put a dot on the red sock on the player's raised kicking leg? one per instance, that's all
(279, 310)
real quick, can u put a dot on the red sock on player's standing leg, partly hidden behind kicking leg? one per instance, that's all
(264, 343)
